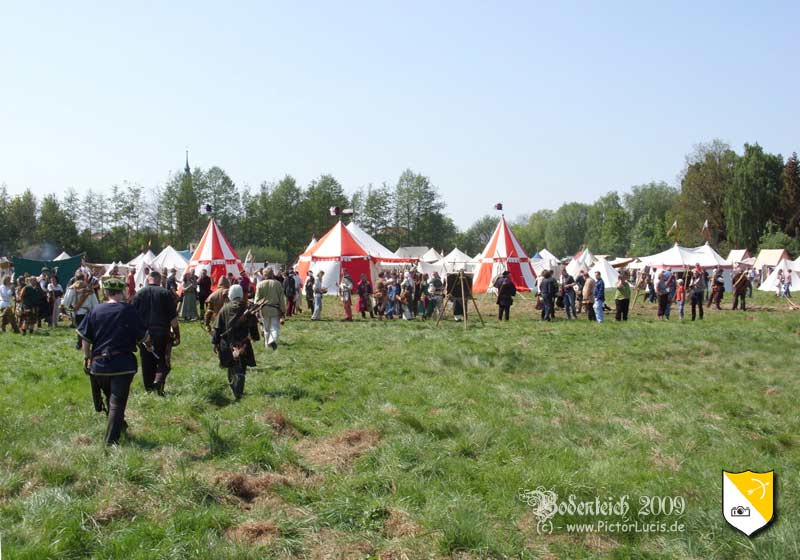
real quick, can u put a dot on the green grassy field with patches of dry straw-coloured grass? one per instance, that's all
(402, 440)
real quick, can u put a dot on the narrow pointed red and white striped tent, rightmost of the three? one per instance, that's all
(503, 252)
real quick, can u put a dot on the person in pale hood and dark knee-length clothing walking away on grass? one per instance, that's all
(234, 329)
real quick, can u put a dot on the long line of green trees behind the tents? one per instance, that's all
(750, 200)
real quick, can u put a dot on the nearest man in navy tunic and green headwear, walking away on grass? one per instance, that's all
(110, 333)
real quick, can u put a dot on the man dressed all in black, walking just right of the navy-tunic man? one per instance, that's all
(156, 309)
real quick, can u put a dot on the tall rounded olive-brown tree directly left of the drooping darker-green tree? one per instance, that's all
(706, 178)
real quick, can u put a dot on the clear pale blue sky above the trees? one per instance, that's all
(532, 104)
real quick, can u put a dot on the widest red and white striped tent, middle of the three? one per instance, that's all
(345, 249)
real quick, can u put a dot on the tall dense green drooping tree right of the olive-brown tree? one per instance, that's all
(752, 197)
